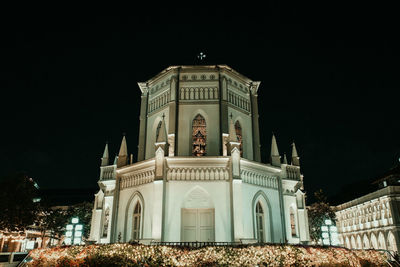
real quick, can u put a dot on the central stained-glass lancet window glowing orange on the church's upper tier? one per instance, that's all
(199, 136)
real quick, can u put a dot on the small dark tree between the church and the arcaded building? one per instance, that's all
(318, 212)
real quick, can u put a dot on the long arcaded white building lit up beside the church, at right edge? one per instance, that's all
(372, 221)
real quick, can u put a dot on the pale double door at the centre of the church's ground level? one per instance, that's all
(197, 225)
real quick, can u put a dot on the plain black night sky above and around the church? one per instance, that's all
(329, 80)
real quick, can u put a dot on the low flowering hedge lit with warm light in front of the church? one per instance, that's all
(253, 255)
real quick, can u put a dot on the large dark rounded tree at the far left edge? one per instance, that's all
(18, 208)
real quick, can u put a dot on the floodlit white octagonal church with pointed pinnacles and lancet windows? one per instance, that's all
(199, 175)
